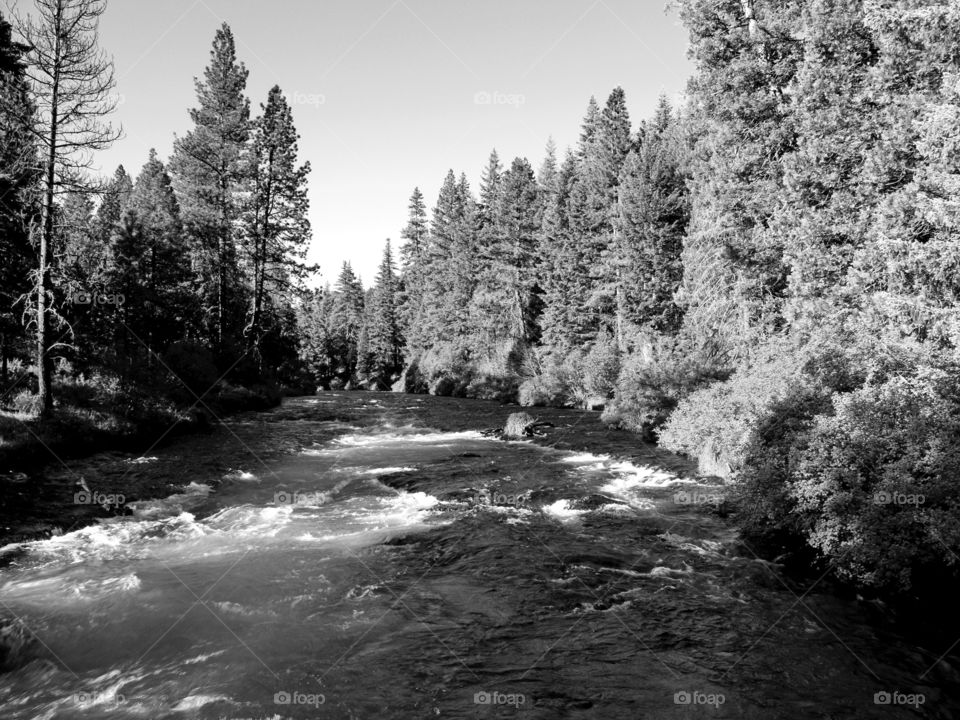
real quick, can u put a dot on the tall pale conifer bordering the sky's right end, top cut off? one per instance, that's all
(747, 57)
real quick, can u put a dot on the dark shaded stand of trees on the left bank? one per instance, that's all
(195, 266)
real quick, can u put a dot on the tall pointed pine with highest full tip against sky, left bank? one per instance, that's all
(210, 177)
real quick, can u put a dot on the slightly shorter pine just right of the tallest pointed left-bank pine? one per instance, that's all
(278, 234)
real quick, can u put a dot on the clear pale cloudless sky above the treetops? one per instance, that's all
(390, 94)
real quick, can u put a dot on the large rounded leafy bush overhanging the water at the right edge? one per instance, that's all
(873, 485)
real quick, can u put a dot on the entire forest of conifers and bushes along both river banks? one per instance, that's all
(765, 277)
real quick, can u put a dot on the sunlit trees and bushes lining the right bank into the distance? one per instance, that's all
(766, 278)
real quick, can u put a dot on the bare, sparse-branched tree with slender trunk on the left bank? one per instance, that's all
(71, 81)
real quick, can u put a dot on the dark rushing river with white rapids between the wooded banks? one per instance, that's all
(394, 563)
